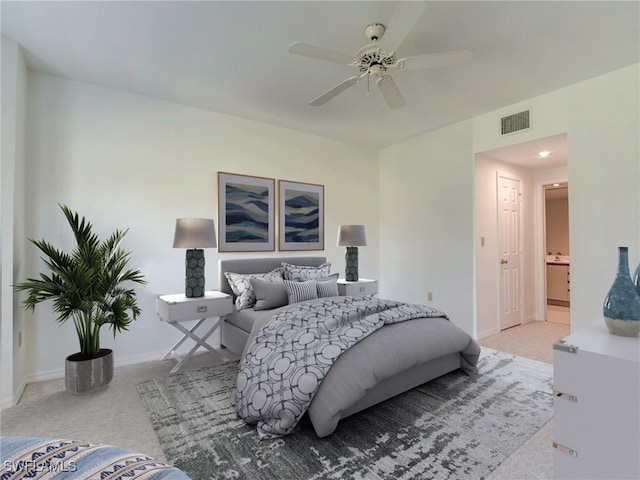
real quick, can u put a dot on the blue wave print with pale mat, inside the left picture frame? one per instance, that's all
(247, 213)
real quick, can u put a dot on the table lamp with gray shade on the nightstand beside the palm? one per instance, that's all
(194, 234)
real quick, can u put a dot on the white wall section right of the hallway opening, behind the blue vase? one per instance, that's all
(604, 186)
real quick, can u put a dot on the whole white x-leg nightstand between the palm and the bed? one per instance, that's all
(177, 308)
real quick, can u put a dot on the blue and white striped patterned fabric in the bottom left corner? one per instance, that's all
(58, 459)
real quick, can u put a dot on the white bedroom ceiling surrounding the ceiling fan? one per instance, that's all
(232, 57)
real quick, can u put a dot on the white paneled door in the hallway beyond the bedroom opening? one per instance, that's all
(510, 250)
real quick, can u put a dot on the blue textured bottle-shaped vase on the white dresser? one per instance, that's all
(621, 307)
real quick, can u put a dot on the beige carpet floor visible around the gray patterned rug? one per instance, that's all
(115, 415)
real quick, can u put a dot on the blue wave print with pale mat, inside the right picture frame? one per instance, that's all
(302, 216)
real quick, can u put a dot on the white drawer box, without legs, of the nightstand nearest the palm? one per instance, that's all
(177, 308)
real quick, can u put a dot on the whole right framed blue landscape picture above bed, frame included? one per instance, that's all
(301, 216)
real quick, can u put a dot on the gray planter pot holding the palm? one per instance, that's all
(88, 375)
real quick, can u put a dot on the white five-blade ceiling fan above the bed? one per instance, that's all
(375, 58)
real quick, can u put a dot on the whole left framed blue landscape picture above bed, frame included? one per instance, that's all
(246, 213)
